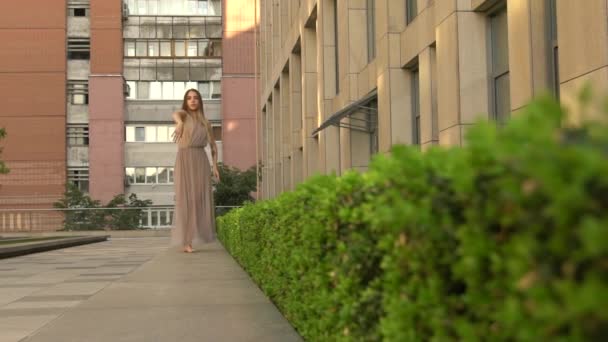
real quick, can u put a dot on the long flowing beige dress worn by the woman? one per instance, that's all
(194, 217)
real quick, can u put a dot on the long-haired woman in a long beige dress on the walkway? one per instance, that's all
(194, 218)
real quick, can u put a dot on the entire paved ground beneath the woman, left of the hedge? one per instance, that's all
(134, 290)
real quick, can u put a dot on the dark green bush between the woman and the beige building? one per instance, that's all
(235, 187)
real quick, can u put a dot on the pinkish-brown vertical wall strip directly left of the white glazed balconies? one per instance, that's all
(106, 101)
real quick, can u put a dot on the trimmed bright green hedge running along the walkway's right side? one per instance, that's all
(505, 239)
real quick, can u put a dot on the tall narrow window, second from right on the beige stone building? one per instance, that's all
(500, 65)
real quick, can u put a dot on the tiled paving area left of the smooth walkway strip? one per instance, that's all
(37, 288)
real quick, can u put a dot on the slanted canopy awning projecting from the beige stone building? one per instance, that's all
(366, 125)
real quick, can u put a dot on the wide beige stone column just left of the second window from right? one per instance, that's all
(462, 70)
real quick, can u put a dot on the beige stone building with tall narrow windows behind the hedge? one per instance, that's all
(343, 80)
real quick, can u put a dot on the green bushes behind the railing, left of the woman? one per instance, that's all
(93, 216)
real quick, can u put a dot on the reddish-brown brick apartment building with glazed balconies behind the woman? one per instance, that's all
(89, 87)
